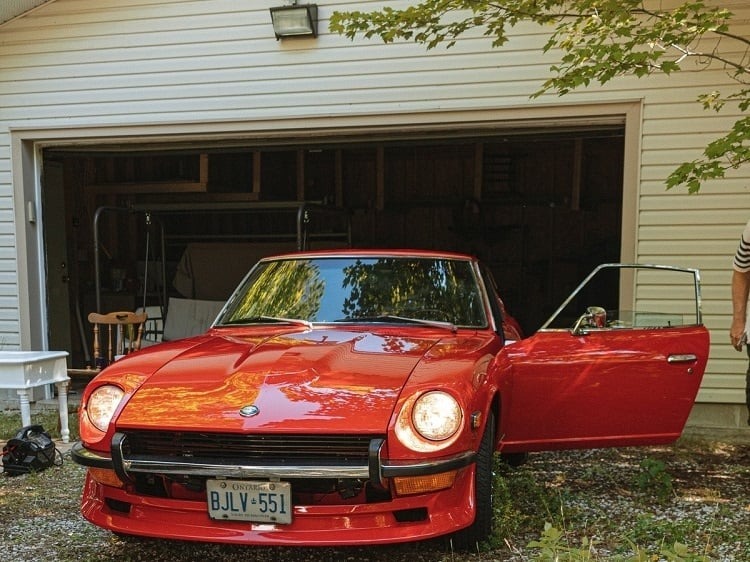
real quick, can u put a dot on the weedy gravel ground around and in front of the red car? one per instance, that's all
(603, 502)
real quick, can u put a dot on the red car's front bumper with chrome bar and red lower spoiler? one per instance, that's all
(399, 519)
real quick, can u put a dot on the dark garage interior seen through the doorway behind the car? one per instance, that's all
(540, 208)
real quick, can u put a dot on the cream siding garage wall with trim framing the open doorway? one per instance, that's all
(169, 69)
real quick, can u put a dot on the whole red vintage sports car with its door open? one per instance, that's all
(355, 397)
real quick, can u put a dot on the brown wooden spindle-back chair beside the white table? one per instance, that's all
(115, 334)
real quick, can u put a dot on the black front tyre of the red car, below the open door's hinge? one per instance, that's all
(480, 529)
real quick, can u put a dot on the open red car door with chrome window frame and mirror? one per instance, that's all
(596, 375)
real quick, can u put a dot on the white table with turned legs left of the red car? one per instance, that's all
(22, 370)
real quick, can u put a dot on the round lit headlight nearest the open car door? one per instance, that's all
(429, 422)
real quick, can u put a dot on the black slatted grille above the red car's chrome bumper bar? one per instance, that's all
(267, 447)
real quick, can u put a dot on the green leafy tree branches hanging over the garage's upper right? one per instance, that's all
(598, 40)
